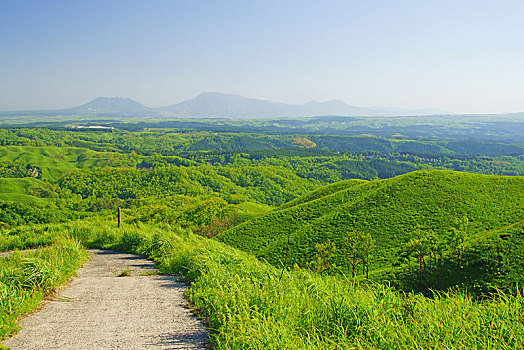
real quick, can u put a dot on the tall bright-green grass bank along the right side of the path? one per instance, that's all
(252, 305)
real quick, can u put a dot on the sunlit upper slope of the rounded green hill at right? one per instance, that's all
(441, 209)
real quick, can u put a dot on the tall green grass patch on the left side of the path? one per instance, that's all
(25, 278)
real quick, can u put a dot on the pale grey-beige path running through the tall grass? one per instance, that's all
(99, 310)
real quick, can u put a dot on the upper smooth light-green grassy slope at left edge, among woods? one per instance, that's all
(56, 161)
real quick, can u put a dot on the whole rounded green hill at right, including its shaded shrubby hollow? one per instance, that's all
(413, 220)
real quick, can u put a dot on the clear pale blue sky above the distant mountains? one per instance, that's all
(461, 56)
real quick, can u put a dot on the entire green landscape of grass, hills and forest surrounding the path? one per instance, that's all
(348, 227)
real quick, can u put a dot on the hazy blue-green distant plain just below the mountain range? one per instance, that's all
(488, 128)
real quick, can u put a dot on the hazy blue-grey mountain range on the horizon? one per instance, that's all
(215, 104)
